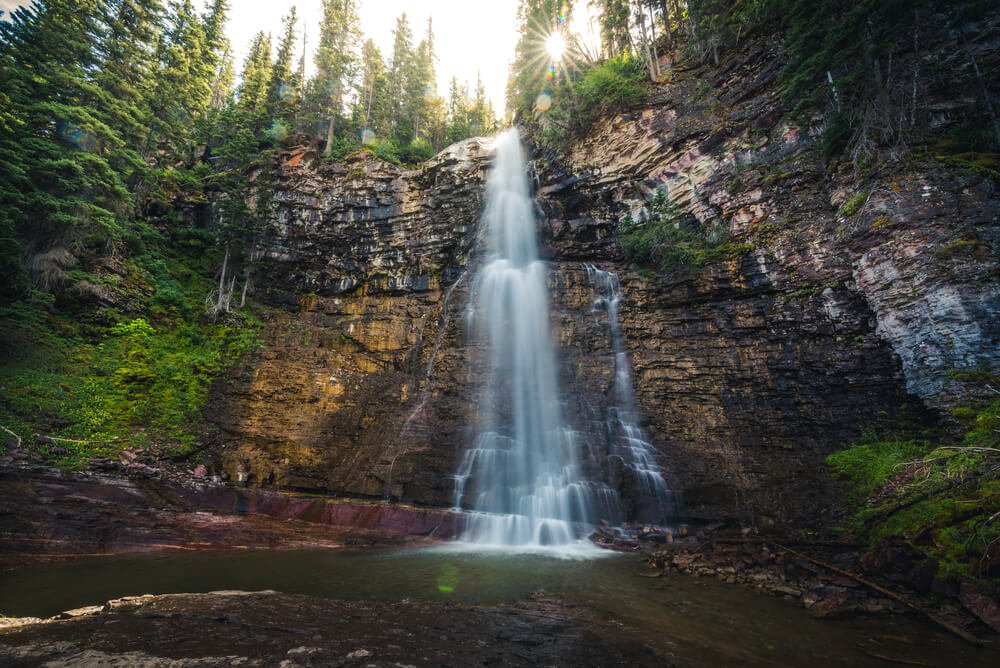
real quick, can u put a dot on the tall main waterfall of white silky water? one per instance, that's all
(521, 477)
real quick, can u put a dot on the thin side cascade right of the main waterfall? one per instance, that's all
(628, 443)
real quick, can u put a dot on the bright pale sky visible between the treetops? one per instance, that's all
(471, 35)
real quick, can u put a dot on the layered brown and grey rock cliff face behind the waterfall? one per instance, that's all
(847, 301)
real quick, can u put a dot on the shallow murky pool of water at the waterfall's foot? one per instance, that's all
(697, 622)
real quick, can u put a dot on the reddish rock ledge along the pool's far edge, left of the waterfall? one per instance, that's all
(47, 514)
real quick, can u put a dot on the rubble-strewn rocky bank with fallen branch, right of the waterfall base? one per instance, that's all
(830, 579)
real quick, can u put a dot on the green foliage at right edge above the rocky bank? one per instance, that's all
(941, 497)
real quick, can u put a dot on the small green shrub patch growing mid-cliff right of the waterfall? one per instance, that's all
(672, 240)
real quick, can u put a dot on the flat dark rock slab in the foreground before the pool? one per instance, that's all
(272, 629)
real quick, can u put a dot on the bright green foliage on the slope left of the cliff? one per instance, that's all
(136, 383)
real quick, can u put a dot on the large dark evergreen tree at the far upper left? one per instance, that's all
(62, 184)
